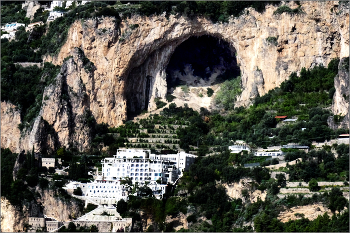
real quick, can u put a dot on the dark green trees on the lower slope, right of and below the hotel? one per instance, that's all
(204, 197)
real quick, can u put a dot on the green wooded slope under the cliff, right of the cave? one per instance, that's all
(303, 97)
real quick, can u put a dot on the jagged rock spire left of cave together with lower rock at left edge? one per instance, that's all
(62, 120)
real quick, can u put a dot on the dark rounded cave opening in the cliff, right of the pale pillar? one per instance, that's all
(200, 62)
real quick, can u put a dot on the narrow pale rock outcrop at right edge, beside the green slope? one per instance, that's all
(340, 104)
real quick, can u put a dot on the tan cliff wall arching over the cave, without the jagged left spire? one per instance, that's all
(125, 59)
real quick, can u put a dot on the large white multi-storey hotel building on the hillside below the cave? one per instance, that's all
(142, 168)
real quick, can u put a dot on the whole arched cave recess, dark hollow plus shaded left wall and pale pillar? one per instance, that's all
(198, 61)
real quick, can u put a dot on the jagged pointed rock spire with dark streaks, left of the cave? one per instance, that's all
(66, 104)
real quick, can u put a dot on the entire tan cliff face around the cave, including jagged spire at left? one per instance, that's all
(130, 66)
